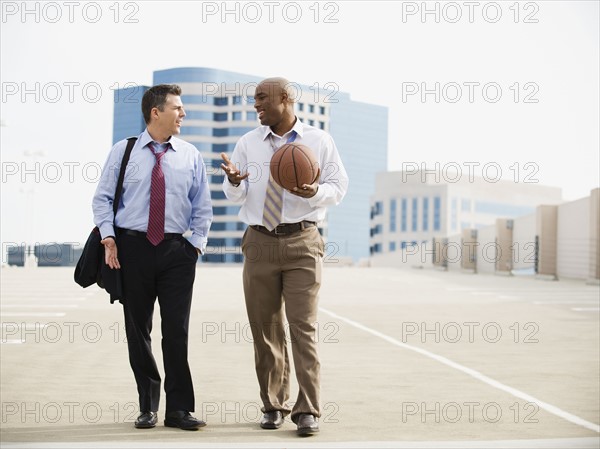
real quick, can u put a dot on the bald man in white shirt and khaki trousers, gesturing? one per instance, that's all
(283, 264)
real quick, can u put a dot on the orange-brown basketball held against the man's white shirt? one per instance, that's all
(293, 165)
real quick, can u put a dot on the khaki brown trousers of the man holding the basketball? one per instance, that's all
(282, 277)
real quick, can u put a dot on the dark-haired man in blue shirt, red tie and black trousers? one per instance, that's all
(165, 193)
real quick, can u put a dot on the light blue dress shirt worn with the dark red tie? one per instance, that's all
(187, 198)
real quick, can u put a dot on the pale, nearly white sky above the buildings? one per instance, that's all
(517, 85)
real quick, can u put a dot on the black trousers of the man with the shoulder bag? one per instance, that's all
(166, 272)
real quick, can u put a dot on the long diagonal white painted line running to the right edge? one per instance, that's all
(471, 372)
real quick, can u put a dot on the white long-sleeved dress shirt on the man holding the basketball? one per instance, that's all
(253, 153)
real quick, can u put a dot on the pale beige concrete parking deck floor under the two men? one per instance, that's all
(410, 359)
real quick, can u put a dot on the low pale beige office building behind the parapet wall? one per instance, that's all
(411, 208)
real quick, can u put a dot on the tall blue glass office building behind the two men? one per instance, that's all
(220, 108)
